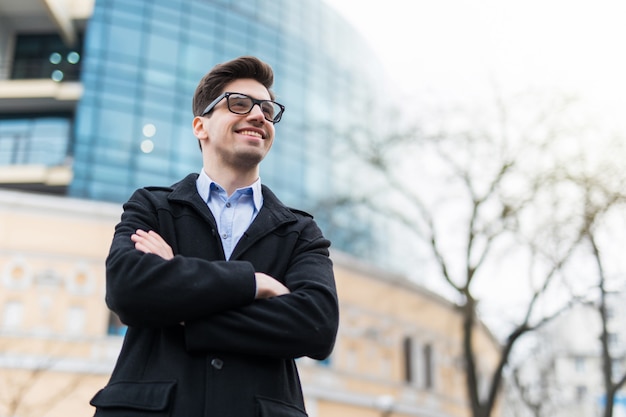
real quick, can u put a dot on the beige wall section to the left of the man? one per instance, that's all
(53, 351)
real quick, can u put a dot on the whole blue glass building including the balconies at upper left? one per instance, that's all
(133, 66)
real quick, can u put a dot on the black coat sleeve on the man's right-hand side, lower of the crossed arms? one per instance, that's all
(302, 323)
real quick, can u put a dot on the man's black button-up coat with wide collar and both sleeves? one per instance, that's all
(234, 355)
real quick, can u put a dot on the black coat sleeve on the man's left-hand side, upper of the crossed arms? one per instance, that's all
(148, 291)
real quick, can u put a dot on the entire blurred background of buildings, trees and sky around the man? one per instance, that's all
(466, 160)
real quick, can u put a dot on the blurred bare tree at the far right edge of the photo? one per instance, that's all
(595, 183)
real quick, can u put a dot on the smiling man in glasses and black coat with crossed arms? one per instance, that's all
(220, 284)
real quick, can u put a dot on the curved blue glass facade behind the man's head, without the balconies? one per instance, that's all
(143, 61)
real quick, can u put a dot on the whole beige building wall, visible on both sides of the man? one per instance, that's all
(54, 345)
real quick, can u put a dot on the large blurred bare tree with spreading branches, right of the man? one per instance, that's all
(477, 190)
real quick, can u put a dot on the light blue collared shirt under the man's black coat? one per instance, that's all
(233, 213)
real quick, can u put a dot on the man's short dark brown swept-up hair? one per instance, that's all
(213, 83)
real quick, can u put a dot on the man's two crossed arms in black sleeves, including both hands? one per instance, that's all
(218, 313)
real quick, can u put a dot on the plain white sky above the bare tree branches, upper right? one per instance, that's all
(457, 47)
